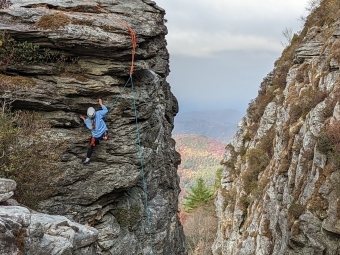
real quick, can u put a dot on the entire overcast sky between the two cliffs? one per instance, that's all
(220, 50)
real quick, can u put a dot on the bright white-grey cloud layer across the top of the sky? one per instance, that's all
(204, 28)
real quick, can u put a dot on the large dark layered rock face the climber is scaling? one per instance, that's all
(128, 192)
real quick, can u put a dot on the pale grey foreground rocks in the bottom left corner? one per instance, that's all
(26, 232)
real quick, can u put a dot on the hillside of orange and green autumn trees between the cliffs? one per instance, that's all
(200, 157)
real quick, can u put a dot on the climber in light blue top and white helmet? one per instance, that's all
(96, 124)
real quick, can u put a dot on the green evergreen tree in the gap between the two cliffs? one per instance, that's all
(198, 195)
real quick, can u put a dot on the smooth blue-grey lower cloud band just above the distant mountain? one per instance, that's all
(227, 82)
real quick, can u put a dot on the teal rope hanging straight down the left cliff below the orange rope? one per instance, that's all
(142, 165)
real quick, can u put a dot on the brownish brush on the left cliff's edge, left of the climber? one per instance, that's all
(28, 154)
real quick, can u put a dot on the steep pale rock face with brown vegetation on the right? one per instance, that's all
(280, 185)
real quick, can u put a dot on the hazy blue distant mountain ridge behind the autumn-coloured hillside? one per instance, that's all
(219, 125)
